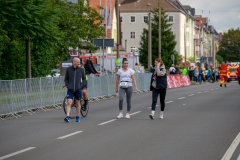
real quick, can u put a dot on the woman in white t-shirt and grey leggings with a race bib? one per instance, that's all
(125, 76)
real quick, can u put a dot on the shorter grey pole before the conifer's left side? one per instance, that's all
(149, 41)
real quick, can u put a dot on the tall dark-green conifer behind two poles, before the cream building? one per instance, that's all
(168, 42)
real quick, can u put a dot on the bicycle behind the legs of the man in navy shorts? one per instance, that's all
(73, 110)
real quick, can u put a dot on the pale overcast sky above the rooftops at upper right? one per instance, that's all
(224, 14)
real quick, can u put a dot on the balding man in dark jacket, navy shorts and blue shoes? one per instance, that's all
(75, 79)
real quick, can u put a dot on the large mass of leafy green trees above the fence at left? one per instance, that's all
(52, 27)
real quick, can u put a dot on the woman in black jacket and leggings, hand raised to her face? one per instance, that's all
(158, 86)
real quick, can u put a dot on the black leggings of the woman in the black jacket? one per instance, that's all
(155, 93)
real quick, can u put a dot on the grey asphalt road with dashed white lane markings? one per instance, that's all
(200, 123)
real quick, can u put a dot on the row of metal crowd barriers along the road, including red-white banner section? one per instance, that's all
(28, 95)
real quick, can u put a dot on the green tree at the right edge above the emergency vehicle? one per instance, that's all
(229, 48)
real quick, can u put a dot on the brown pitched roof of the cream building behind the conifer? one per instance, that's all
(146, 5)
